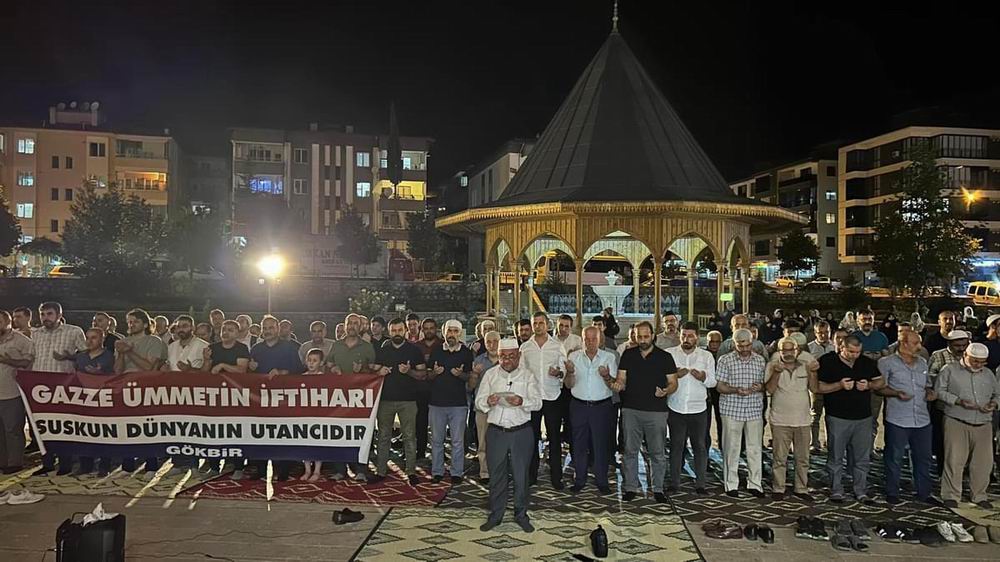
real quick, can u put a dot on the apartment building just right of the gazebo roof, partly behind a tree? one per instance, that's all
(808, 187)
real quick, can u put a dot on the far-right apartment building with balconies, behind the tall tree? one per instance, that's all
(868, 178)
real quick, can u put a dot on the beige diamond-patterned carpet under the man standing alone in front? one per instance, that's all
(453, 534)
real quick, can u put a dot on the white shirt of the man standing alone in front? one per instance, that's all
(520, 381)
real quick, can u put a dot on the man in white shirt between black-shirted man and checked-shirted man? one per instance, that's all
(687, 416)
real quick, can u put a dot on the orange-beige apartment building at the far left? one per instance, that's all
(44, 166)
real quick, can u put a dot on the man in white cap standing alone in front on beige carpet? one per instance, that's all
(508, 394)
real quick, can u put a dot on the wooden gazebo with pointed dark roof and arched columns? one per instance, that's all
(617, 158)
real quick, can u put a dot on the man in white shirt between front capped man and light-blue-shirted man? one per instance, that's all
(543, 355)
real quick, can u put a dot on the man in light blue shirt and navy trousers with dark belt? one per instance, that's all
(590, 373)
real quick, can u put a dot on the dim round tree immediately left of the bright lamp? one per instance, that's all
(194, 242)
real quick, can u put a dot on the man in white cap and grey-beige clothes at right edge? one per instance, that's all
(970, 393)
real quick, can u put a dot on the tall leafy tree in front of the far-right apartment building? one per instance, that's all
(918, 242)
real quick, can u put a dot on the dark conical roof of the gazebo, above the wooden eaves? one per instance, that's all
(616, 138)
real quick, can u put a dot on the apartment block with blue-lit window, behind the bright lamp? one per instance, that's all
(292, 183)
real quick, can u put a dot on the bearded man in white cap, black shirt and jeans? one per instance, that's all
(448, 371)
